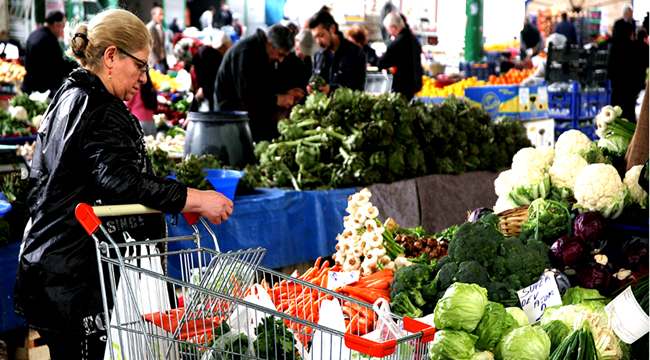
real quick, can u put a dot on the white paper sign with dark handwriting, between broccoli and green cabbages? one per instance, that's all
(537, 297)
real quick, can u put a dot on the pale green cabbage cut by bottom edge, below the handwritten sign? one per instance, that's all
(524, 343)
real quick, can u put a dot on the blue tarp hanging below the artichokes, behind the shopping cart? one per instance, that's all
(293, 226)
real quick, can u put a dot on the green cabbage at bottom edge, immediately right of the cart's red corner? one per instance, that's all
(452, 345)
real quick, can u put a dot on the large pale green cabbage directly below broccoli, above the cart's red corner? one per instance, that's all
(461, 308)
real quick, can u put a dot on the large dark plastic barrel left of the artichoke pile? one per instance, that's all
(222, 133)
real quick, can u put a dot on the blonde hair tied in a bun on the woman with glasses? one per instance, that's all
(111, 27)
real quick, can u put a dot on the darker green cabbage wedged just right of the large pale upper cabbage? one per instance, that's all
(495, 322)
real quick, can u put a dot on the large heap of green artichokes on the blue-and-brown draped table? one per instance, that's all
(355, 139)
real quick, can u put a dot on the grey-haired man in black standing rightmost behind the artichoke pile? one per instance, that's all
(404, 54)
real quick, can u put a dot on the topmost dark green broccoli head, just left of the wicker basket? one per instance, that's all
(477, 241)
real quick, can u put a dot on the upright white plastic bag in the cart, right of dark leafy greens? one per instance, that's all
(324, 345)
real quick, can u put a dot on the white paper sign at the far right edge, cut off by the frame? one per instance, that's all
(628, 319)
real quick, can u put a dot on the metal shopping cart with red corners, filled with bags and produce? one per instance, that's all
(216, 318)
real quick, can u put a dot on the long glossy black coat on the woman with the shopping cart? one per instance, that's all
(89, 149)
